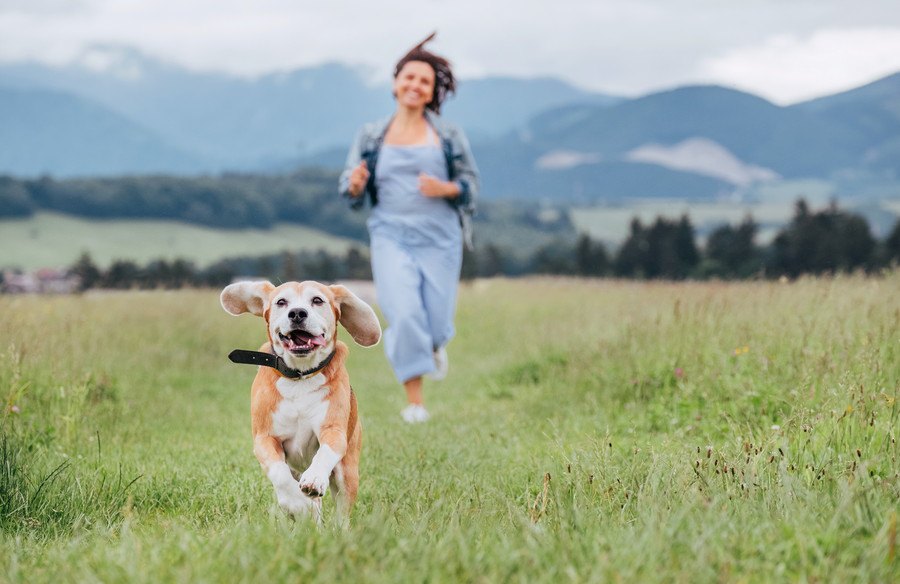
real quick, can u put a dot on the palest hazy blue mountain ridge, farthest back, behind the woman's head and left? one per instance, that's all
(248, 124)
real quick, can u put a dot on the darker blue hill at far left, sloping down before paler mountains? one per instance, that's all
(50, 132)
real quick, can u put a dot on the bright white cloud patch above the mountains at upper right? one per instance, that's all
(788, 68)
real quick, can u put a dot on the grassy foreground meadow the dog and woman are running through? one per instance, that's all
(589, 431)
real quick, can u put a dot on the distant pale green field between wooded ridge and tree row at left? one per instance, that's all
(56, 240)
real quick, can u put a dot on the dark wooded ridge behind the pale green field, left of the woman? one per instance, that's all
(228, 201)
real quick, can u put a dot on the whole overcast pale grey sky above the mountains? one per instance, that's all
(783, 50)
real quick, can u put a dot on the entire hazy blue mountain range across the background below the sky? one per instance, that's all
(535, 138)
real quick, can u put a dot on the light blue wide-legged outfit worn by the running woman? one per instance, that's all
(416, 246)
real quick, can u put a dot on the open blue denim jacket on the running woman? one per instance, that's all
(461, 167)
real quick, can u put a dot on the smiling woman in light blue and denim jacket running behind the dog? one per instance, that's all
(421, 181)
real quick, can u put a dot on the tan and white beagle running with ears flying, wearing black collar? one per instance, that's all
(306, 430)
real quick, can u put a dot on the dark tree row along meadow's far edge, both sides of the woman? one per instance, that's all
(824, 242)
